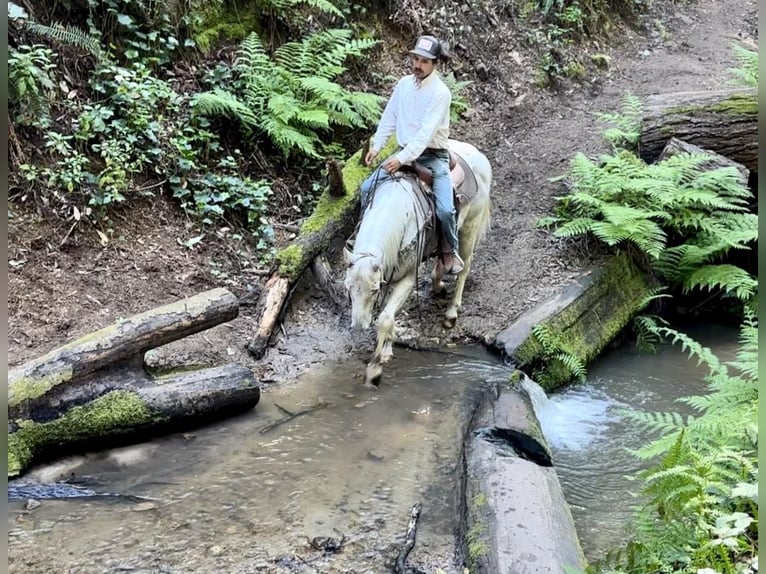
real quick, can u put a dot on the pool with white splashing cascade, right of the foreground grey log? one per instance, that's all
(590, 438)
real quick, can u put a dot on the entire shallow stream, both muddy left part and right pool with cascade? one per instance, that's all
(331, 490)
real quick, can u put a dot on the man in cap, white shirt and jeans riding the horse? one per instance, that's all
(418, 112)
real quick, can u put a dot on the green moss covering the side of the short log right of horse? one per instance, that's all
(614, 299)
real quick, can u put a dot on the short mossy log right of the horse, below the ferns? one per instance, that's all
(581, 321)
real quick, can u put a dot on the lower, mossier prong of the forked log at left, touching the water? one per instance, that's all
(125, 402)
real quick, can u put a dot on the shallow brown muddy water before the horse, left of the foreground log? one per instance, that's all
(229, 498)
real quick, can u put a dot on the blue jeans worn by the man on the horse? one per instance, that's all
(438, 163)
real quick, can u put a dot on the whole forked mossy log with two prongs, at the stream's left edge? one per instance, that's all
(95, 390)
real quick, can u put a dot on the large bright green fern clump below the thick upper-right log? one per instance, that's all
(679, 218)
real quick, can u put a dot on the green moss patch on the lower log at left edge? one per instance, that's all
(114, 412)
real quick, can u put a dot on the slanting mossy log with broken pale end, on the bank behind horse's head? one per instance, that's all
(335, 214)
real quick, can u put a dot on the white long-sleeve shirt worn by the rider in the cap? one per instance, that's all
(418, 114)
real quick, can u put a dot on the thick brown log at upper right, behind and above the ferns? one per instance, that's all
(723, 121)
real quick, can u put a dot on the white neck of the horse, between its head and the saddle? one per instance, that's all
(385, 229)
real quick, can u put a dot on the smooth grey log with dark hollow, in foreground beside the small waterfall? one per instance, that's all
(516, 516)
